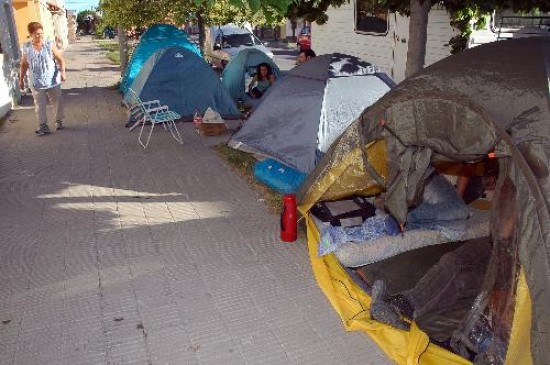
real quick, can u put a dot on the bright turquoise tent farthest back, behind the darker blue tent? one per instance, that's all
(157, 37)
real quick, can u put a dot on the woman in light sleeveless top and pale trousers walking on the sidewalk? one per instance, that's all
(47, 71)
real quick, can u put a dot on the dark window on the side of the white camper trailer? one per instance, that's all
(370, 17)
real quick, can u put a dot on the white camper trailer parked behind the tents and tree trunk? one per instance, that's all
(383, 38)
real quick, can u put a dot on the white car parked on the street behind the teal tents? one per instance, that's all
(229, 40)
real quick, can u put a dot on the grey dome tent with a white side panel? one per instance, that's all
(301, 115)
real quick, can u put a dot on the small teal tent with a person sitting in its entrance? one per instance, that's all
(234, 75)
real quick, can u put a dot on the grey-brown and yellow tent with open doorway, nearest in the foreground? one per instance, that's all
(486, 100)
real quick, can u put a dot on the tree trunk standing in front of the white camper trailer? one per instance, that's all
(418, 33)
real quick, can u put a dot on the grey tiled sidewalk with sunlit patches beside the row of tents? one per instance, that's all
(111, 254)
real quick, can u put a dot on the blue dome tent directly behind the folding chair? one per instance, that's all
(185, 82)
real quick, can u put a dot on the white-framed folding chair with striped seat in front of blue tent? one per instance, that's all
(151, 112)
